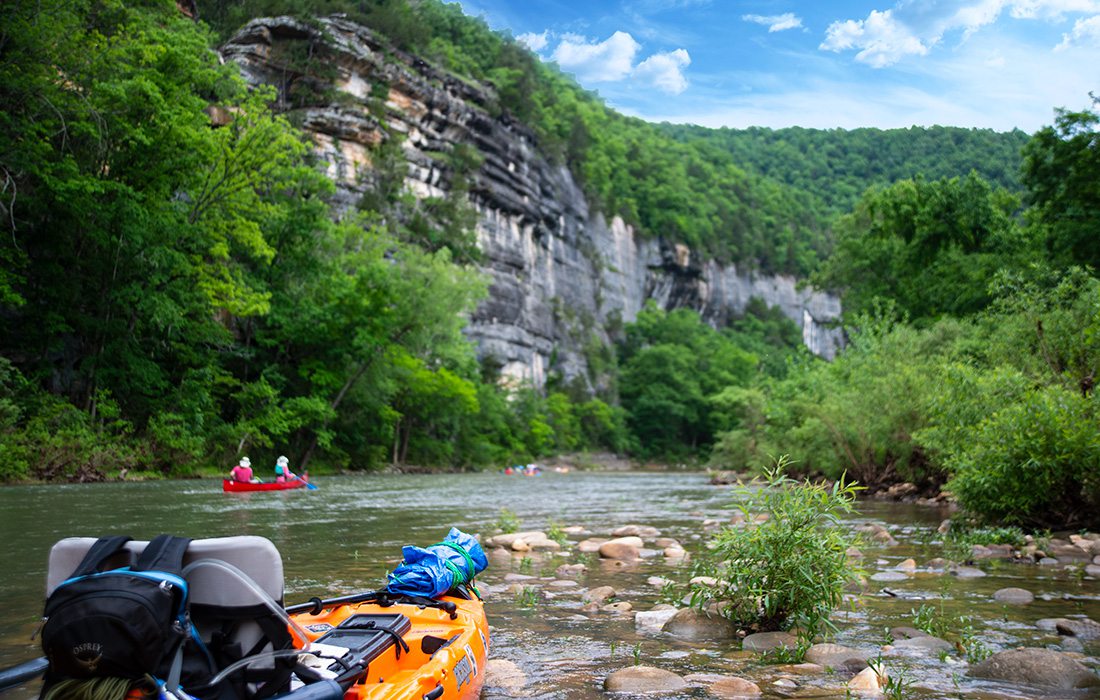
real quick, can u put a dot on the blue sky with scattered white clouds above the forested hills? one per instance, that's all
(998, 64)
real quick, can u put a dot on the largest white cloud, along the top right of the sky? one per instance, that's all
(914, 28)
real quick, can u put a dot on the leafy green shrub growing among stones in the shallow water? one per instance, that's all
(790, 570)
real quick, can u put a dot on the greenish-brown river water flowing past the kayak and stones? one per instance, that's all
(346, 535)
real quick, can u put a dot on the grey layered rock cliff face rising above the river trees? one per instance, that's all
(562, 275)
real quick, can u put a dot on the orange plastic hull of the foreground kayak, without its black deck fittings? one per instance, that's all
(453, 672)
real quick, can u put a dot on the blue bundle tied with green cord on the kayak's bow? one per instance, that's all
(434, 571)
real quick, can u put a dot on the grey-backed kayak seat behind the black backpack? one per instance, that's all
(230, 615)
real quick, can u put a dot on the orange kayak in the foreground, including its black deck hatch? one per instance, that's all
(409, 651)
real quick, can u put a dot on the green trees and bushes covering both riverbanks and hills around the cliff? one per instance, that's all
(177, 290)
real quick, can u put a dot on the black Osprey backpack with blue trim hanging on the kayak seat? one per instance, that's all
(126, 624)
